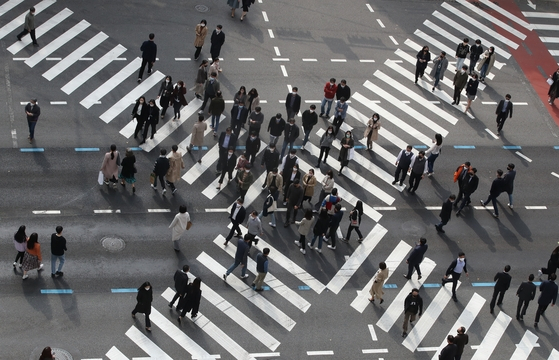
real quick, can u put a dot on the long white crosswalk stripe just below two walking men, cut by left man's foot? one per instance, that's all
(248, 293)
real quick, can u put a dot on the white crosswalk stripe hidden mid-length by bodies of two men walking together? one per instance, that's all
(274, 283)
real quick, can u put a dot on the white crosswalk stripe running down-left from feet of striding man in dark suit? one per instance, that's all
(429, 318)
